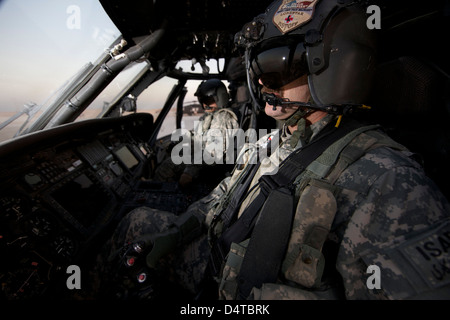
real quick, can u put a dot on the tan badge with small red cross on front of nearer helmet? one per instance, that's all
(292, 14)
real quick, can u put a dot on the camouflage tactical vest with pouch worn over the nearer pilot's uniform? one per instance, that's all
(315, 208)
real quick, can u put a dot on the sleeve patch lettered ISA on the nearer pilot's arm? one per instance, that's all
(419, 265)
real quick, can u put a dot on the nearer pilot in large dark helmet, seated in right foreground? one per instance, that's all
(347, 214)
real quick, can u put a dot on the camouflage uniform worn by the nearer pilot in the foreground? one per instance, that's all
(384, 211)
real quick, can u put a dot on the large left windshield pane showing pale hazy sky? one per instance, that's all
(45, 44)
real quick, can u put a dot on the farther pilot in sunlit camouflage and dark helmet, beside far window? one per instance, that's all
(218, 121)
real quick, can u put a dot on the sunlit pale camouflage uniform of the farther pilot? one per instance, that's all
(220, 123)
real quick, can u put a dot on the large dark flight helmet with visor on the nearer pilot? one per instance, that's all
(326, 39)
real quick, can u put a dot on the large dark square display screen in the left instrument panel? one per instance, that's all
(82, 198)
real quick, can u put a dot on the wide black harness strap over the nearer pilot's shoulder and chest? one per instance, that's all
(270, 237)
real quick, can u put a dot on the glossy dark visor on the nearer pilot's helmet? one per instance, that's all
(278, 66)
